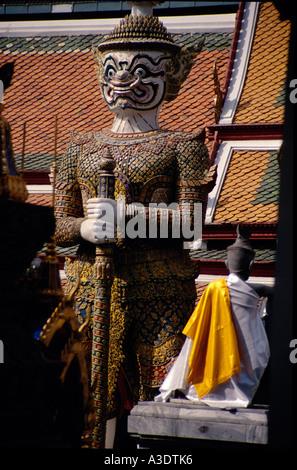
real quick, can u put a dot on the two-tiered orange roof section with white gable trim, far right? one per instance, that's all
(249, 132)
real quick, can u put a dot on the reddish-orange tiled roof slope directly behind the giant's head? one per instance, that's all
(56, 76)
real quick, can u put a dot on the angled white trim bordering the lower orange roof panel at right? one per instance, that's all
(222, 161)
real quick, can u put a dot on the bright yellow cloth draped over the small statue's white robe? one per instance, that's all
(214, 356)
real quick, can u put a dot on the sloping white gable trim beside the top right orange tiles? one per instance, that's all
(241, 62)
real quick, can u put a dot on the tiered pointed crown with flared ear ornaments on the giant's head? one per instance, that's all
(142, 31)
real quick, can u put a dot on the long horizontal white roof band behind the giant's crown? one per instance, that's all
(180, 24)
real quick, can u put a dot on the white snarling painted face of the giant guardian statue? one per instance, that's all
(134, 79)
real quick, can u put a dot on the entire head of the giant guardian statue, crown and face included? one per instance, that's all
(138, 63)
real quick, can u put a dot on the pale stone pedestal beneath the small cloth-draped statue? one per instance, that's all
(182, 419)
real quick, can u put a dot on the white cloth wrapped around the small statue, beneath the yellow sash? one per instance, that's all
(254, 352)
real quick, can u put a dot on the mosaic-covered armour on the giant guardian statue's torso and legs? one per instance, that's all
(153, 292)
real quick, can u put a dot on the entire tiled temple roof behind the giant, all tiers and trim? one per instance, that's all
(55, 76)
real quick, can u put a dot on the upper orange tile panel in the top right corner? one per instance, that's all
(262, 98)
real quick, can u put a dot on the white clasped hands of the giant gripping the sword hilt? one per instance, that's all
(99, 226)
